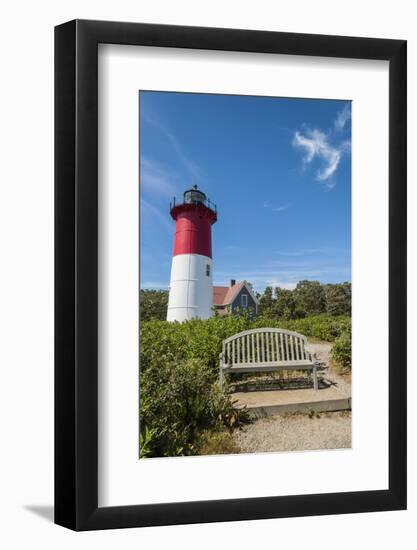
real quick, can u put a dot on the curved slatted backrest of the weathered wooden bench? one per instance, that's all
(265, 345)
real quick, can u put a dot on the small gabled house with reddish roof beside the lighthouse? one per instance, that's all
(239, 295)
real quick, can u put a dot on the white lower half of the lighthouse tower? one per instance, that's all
(191, 288)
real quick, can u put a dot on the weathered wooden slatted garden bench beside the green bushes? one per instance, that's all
(267, 350)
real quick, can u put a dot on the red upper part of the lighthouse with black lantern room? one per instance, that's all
(194, 217)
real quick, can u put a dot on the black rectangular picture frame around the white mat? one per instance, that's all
(76, 270)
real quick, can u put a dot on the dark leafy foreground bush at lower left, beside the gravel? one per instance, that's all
(177, 402)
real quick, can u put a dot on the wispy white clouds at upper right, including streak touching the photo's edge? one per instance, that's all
(324, 148)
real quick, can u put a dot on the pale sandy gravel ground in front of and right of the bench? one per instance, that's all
(296, 432)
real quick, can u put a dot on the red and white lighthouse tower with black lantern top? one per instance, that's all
(191, 286)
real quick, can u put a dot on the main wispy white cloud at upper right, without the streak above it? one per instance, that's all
(316, 146)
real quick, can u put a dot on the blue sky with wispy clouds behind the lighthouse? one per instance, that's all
(279, 170)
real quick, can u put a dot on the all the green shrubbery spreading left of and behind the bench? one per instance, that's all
(179, 371)
